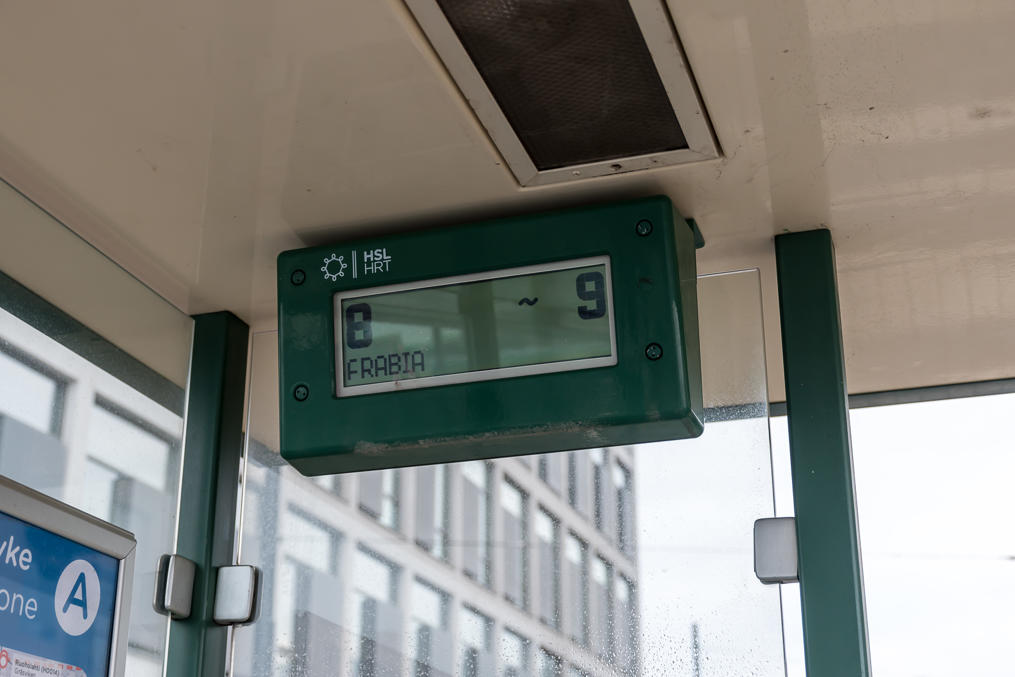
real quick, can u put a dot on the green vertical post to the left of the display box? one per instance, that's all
(213, 451)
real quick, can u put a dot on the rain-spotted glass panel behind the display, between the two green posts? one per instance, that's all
(641, 559)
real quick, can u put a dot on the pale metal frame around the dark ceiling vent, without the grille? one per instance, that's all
(664, 45)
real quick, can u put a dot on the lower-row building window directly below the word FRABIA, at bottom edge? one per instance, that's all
(377, 620)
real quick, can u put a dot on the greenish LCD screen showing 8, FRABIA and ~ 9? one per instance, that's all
(496, 325)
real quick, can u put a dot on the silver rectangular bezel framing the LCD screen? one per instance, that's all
(344, 391)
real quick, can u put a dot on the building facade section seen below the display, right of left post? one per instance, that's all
(514, 567)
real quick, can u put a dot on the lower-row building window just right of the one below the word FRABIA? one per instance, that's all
(430, 643)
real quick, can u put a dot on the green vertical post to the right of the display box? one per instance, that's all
(832, 588)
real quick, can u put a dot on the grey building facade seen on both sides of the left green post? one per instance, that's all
(515, 567)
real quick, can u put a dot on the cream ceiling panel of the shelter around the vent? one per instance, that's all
(193, 142)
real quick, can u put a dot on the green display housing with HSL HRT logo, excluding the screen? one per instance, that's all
(638, 400)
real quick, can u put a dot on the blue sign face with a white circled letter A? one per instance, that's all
(58, 601)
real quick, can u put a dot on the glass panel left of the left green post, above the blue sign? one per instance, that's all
(81, 421)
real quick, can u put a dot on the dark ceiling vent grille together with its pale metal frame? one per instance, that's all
(573, 89)
